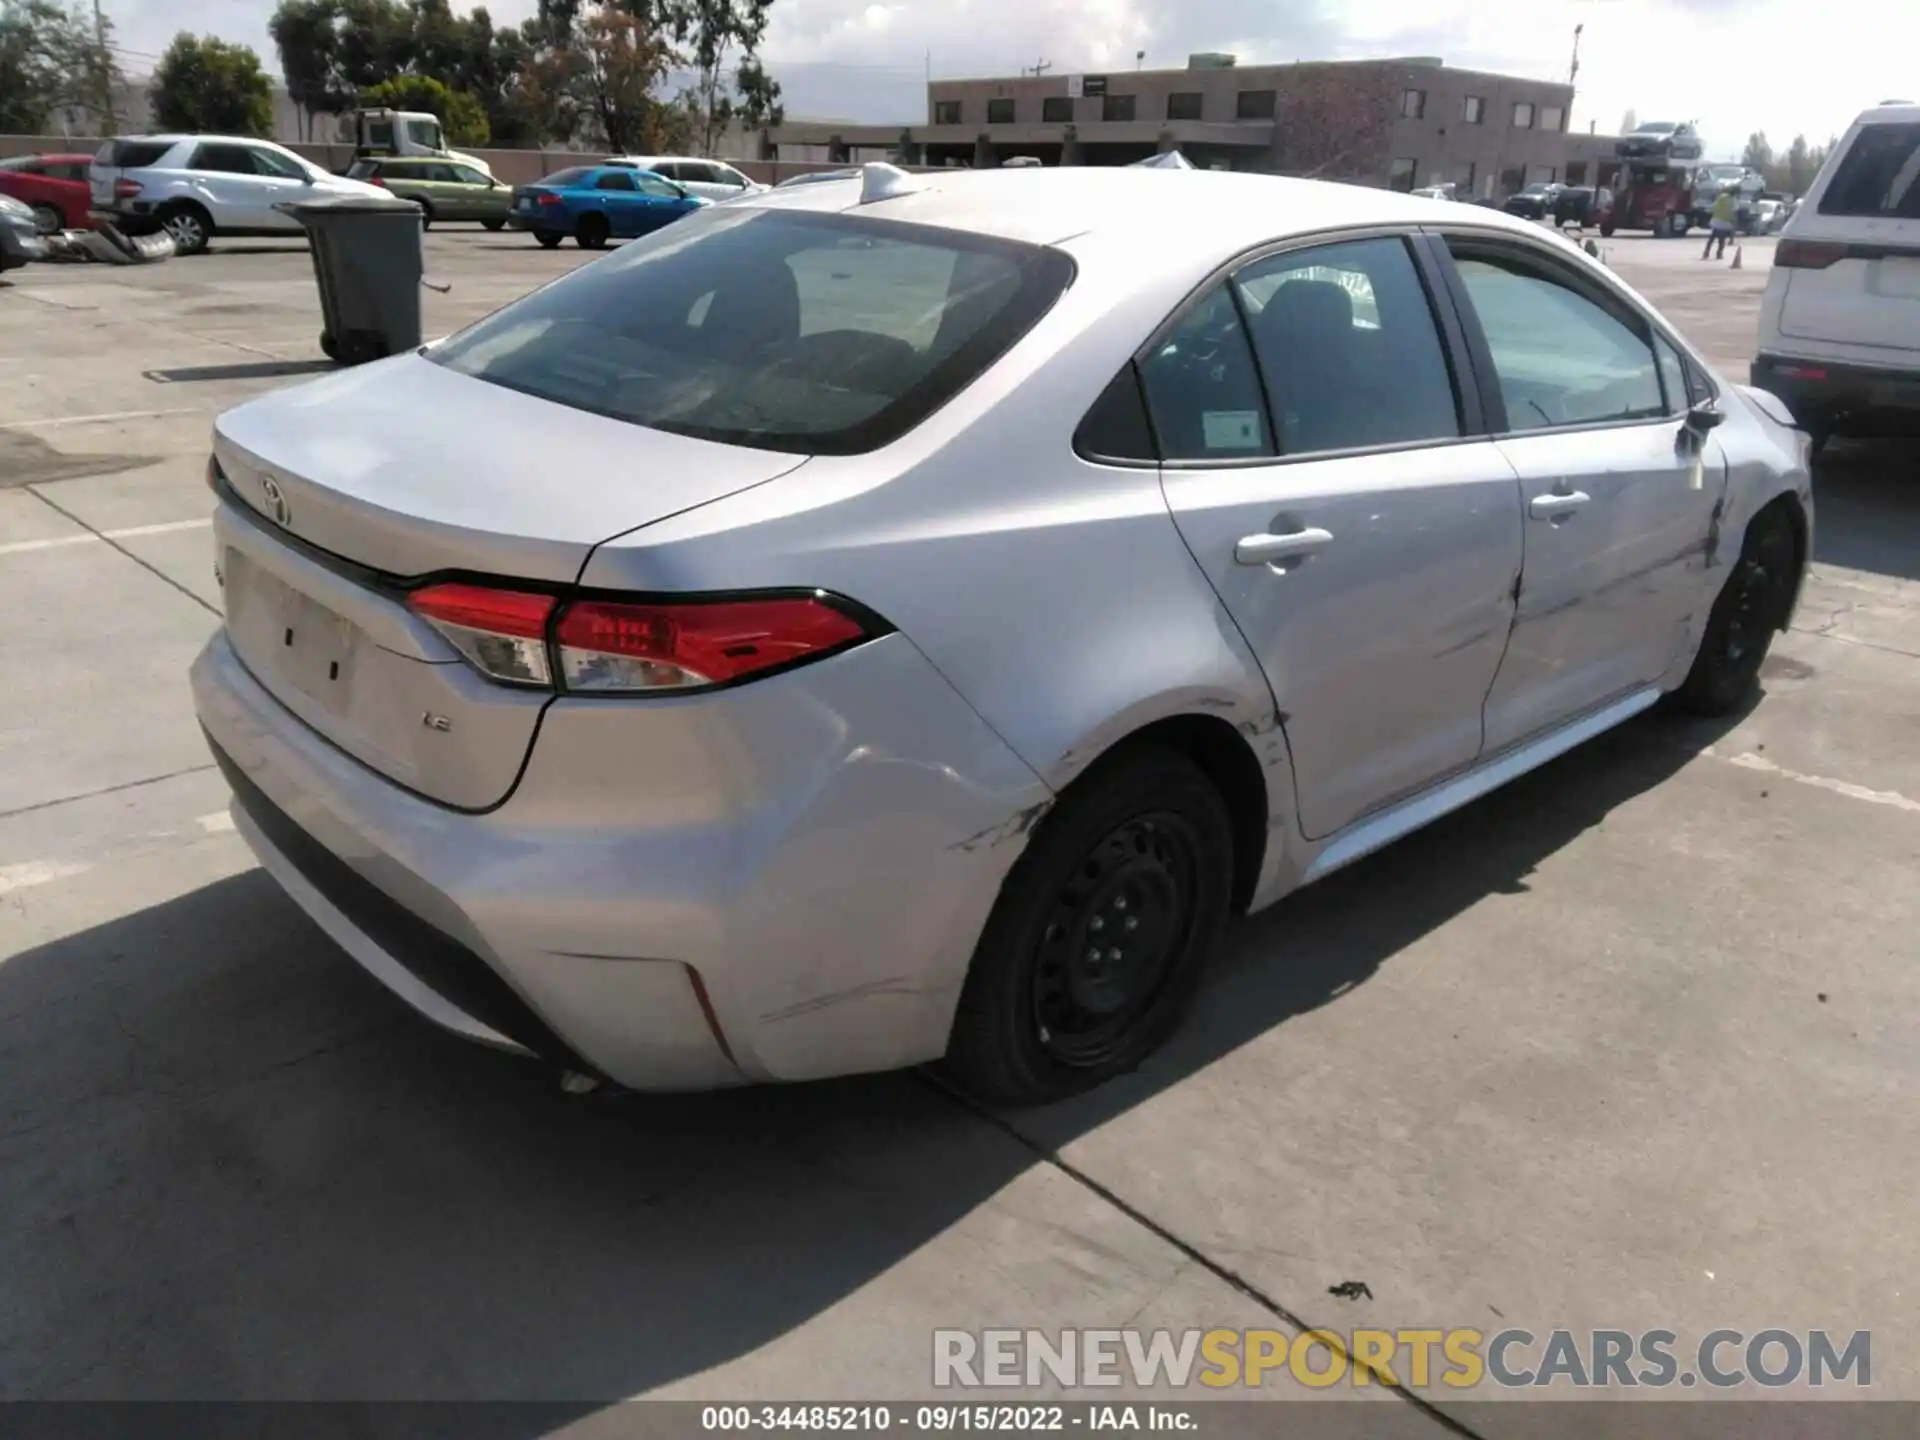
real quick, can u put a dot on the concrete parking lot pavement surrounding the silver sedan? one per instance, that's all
(1633, 1044)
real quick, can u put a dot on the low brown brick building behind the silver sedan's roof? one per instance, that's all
(1380, 122)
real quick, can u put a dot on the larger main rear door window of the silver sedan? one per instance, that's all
(1349, 348)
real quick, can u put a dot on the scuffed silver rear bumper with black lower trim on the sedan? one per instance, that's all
(780, 882)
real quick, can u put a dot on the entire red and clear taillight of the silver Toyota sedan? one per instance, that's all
(623, 648)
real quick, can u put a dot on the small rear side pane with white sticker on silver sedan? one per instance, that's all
(1203, 389)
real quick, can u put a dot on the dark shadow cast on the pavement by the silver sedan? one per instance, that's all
(237, 1168)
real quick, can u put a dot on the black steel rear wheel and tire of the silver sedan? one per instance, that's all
(1141, 848)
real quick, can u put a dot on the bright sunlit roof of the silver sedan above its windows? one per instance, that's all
(1212, 210)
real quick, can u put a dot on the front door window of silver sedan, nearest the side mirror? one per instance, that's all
(1560, 354)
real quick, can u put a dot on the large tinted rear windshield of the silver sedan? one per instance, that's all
(819, 335)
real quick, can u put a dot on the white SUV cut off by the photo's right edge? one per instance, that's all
(1840, 331)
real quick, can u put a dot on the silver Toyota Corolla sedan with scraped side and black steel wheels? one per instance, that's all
(898, 619)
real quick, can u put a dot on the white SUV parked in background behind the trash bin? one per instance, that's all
(201, 185)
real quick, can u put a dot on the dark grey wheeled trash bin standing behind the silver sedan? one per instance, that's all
(368, 260)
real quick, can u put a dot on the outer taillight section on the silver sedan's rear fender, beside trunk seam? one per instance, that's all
(656, 648)
